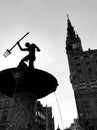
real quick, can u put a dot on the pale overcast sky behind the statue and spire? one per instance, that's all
(47, 23)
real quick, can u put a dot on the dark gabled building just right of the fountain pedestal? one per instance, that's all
(44, 118)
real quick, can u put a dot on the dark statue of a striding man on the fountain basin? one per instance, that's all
(31, 48)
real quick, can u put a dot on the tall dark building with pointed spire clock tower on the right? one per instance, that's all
(83, 77)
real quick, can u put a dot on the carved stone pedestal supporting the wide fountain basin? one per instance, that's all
(24, 114)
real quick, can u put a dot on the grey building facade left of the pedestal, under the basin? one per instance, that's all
(6, 110)
